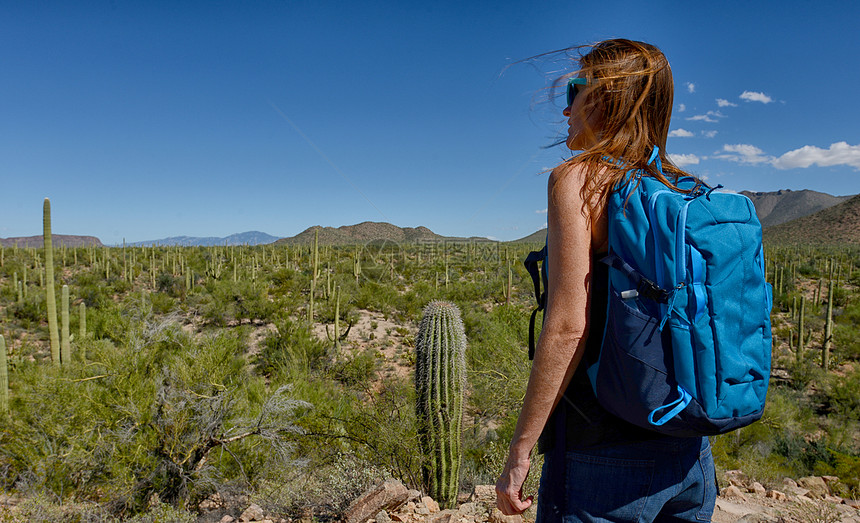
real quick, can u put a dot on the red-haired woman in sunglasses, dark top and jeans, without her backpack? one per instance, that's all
(598, 467)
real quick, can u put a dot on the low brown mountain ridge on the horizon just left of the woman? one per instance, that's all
(369, 232)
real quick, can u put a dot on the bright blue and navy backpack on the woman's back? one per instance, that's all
(687, 343)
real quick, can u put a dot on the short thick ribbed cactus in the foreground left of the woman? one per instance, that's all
(440, 376)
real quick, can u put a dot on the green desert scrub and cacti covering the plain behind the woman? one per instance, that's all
(284, 374)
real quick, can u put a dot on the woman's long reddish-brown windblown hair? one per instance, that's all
(631, 88)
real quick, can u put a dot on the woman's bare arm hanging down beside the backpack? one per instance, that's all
(562, 339)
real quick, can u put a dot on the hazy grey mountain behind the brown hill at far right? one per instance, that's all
(783, 206)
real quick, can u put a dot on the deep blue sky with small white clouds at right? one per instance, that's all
(142, 120)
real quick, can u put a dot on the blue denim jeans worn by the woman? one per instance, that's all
(662, 480)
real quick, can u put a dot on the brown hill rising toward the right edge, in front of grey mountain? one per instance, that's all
(839, 224)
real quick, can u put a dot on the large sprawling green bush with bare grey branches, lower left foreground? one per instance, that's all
(143, 419)
